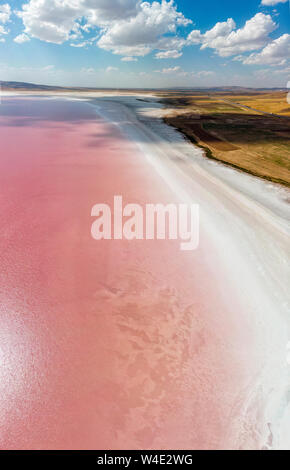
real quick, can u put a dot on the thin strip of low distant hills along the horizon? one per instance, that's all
(7, 85)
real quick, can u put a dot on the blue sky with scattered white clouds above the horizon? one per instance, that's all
(131, 43)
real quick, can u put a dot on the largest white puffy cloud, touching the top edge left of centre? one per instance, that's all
(126, 27)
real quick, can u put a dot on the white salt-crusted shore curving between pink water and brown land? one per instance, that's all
(266, 312)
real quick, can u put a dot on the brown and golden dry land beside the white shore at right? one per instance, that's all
(249, 131)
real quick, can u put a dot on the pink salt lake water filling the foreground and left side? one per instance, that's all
(108, 344)
